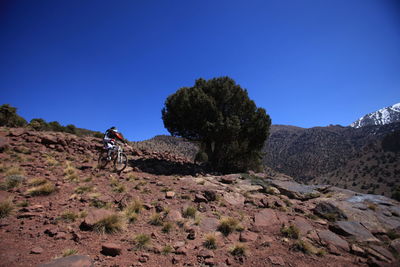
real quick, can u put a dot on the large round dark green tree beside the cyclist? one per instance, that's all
(219, 114)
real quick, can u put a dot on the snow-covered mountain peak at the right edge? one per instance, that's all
(383, 116)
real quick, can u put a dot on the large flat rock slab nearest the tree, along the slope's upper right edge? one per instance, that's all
(296, 190)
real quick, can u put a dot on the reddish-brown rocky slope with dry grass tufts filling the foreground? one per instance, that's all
(58, 209)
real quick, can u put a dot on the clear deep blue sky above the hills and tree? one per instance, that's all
(97, 63)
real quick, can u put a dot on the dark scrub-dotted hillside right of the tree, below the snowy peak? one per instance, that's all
(327, 152)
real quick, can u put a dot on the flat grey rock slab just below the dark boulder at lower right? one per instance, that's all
(354, 230)
